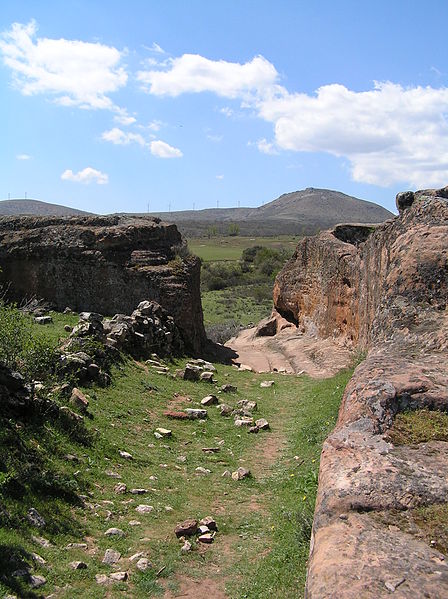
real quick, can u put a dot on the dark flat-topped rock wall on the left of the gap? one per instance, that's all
(103, 264)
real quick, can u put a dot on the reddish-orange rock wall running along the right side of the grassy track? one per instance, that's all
(383, 290)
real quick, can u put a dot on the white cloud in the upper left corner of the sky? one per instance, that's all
(74, 72)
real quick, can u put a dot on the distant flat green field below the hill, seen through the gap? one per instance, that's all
(231, 248)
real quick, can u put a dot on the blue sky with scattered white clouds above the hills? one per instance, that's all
(136, 106)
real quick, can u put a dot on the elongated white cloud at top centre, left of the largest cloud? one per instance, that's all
(194, 73)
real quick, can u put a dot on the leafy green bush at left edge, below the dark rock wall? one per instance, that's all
(20, 348)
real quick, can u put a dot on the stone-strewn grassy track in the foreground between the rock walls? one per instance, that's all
(264, 522)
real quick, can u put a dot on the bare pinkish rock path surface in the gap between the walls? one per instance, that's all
(290, 351)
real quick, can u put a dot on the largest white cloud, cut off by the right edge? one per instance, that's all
(389, 134)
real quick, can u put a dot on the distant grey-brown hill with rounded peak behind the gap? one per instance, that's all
(298, 212)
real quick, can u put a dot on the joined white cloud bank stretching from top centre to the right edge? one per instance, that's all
(389, 134)
